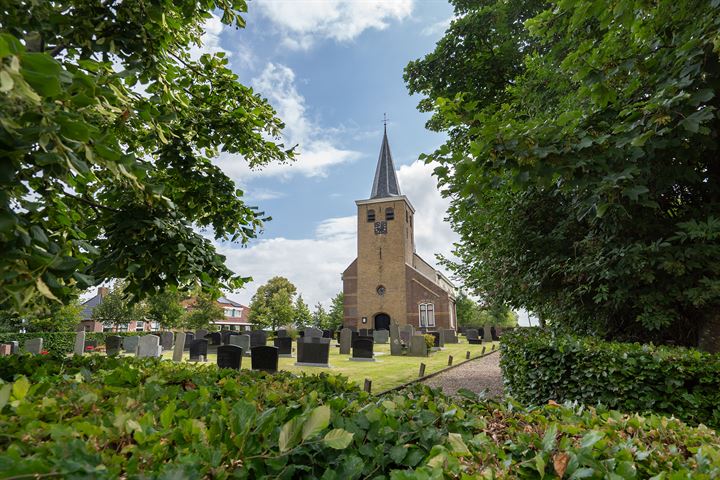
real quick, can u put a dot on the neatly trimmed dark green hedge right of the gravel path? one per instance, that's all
(539, 366)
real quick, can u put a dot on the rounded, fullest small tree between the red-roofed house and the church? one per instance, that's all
(272, 304)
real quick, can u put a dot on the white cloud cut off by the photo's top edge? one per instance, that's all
(302, 23)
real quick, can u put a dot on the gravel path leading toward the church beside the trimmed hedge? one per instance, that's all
(477, 375)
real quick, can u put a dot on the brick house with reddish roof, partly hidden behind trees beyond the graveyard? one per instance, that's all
(235, 316)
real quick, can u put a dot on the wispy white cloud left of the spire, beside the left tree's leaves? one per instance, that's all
(317, 149)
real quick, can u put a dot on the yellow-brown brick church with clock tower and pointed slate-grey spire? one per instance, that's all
(388, 281)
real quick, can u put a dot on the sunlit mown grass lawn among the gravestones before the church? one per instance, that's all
(386, 372)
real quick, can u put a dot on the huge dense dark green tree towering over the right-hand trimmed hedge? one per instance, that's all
(581, 160)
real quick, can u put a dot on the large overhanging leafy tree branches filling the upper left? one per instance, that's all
(107, 134)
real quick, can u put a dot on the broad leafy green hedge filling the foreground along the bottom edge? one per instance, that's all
(99, 417)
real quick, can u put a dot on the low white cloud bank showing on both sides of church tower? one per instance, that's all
(315, 264)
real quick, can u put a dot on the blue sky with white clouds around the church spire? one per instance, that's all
(331, 69)
